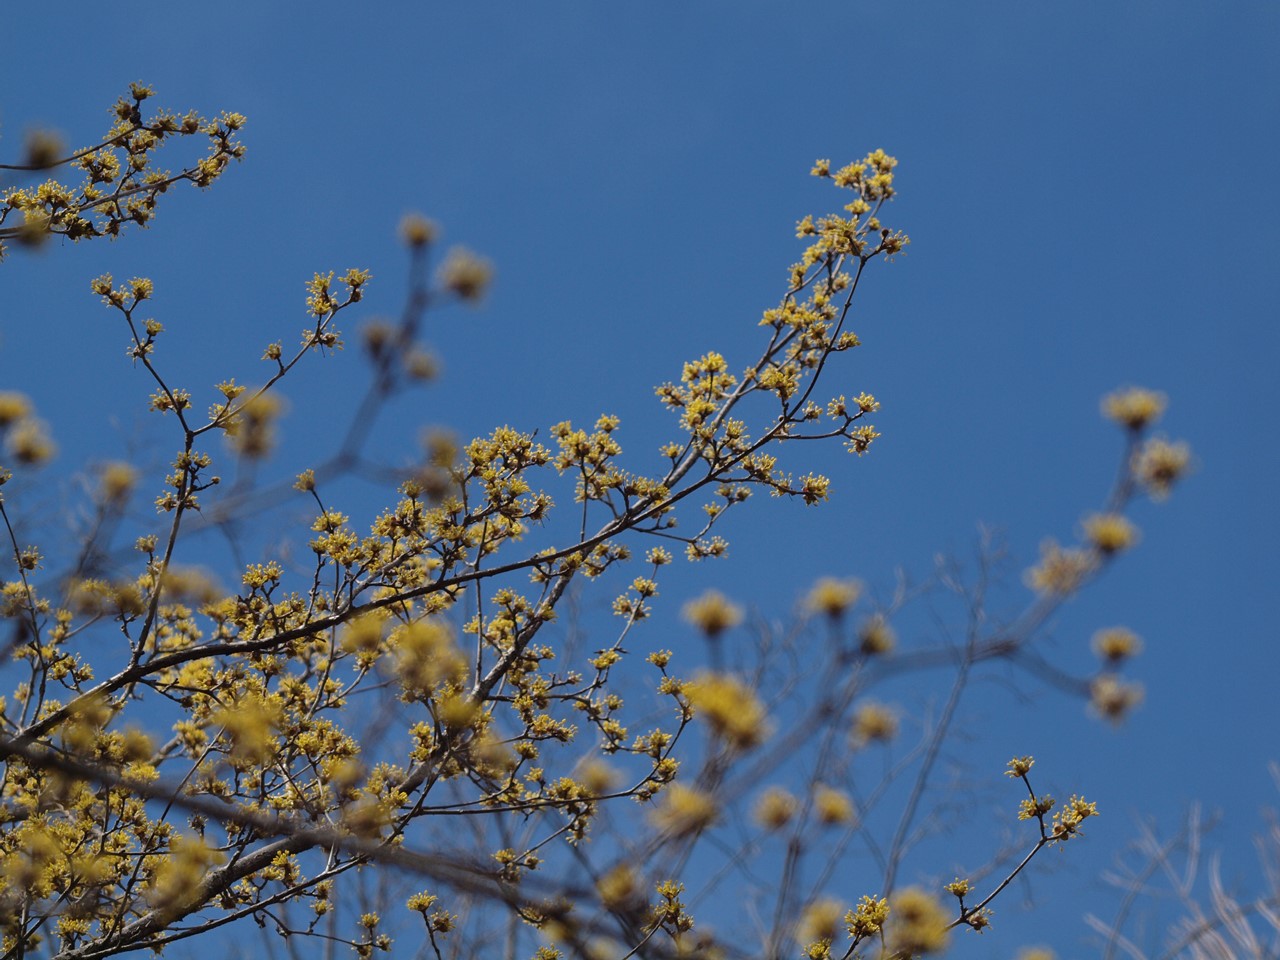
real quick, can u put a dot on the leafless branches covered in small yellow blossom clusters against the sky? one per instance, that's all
(404, 719)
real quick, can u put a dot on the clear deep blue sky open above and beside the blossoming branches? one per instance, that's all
(1091, 196)
